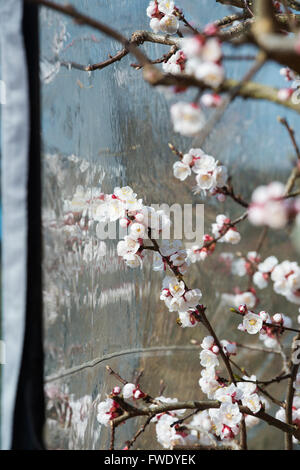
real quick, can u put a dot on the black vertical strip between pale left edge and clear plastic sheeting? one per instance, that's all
(29, 406)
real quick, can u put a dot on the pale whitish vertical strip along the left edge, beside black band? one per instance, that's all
(15, 135)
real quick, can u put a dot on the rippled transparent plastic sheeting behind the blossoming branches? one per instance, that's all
(109, 129)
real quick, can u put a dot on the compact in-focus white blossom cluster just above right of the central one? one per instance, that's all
(210, 175)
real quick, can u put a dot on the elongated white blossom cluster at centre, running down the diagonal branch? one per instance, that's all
(142, 223)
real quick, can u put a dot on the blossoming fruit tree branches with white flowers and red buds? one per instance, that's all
(195, 59)
